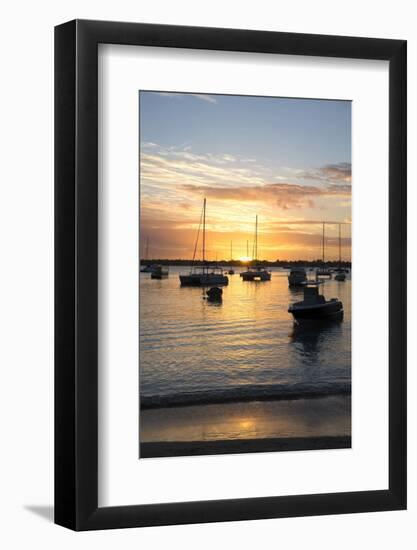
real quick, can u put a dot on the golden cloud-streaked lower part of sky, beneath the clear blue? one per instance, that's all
(175, 179)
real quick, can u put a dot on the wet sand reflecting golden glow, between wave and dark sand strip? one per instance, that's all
(297, 418)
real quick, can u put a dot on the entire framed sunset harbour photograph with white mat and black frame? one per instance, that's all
(230, 337)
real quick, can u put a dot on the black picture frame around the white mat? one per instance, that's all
(76, 272)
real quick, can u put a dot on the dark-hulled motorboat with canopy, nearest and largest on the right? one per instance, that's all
(315, 307)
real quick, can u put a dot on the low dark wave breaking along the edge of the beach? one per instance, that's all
(245, 393)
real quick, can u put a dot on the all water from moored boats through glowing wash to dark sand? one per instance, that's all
(202, 363)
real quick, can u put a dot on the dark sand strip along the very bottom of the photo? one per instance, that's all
(195, 448)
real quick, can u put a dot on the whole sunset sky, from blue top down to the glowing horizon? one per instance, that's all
(286, 160)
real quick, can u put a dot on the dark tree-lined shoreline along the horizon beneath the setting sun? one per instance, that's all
(237, 263)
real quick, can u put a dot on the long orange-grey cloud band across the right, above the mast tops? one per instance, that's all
(284, 195)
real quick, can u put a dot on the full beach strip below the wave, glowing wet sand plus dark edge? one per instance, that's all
(293, 425)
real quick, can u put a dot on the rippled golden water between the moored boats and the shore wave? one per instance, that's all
(245, 347)
